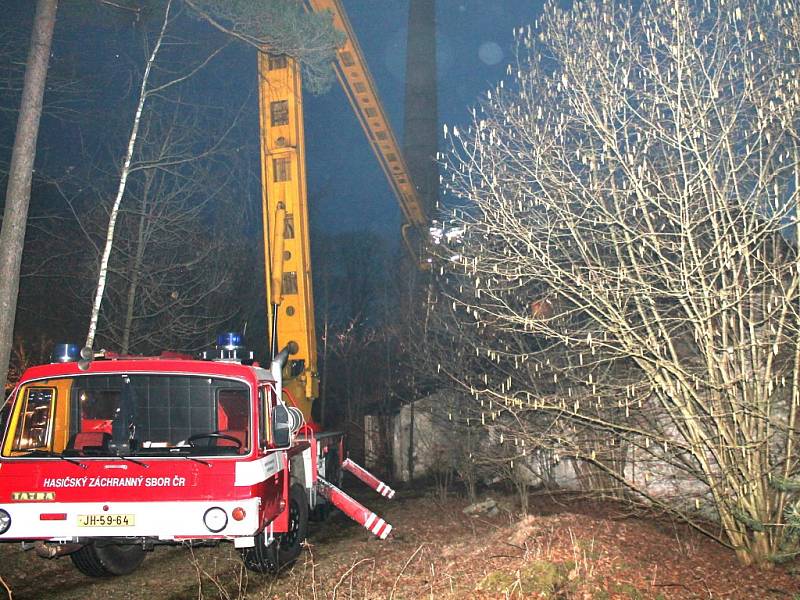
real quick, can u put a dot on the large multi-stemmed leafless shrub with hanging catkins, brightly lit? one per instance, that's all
(627, 255)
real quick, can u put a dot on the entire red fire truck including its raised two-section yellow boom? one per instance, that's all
(104, 457)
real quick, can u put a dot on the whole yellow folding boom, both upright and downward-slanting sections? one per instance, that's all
(285, 208)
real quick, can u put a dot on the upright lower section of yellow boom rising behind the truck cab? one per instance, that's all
(287, 250)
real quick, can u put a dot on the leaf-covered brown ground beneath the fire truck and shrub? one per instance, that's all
(564, 549)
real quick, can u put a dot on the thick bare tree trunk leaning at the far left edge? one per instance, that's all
(18, 192)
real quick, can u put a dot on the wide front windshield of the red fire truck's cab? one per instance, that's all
(129, 415)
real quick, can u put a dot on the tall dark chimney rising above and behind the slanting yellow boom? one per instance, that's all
(421, 128)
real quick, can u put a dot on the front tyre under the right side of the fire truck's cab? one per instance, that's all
(283, 552)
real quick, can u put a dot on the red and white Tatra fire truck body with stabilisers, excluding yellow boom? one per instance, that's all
(104, 457)
